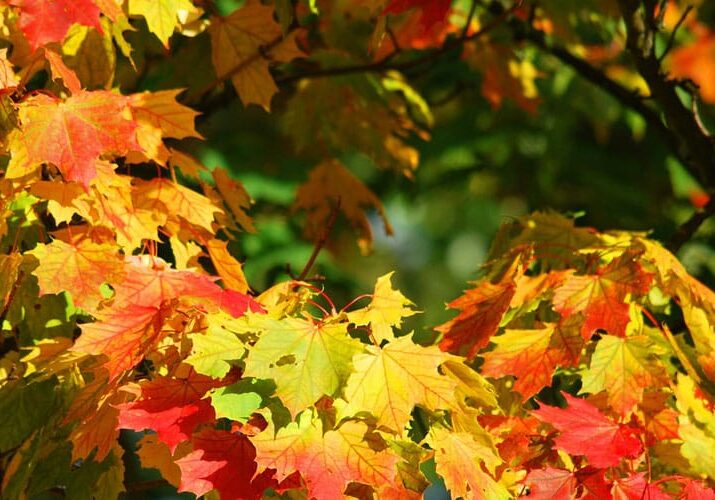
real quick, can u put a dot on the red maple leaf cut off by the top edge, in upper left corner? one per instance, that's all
(45, 21)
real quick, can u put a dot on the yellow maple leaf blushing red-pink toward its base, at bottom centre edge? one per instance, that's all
(326, 461)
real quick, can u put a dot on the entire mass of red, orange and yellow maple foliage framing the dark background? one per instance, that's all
(123, 305)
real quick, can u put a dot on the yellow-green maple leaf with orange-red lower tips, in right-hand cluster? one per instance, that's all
(623, 367)
